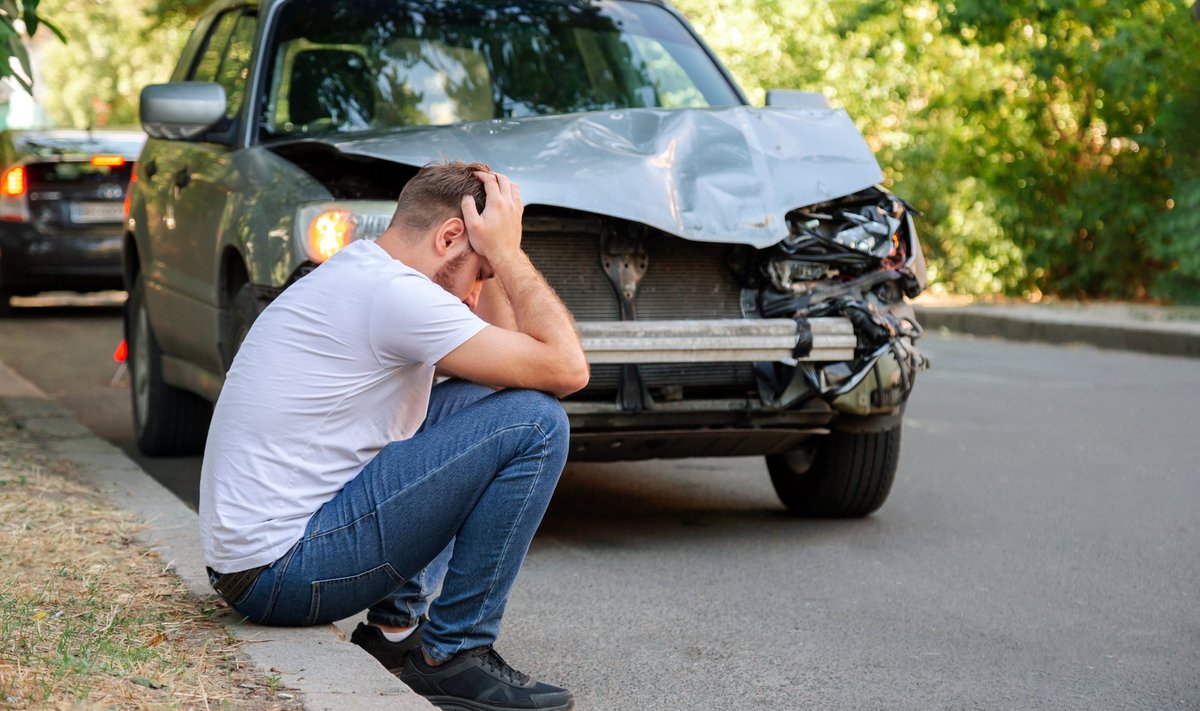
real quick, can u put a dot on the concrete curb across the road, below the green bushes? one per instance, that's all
(1163, 338)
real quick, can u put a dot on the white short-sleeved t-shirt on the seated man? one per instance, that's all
(337, 368)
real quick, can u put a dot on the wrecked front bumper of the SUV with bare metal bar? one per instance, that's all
(781, 416)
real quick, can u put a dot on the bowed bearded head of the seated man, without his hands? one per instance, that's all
(428, 231)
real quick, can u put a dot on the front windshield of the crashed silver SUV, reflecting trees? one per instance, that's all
(379, 64)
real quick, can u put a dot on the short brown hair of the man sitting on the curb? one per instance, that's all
(435, 195)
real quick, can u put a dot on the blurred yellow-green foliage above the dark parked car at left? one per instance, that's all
(112, 52)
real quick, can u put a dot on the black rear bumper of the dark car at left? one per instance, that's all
(82, 261)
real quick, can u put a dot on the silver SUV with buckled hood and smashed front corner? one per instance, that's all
(737, 277)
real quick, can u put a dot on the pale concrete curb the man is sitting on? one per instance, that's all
(320, 662)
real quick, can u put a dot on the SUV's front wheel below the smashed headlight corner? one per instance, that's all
(848, 475)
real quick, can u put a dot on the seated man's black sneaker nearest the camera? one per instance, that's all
(479, 680)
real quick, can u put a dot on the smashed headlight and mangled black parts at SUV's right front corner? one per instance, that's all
(854, 258)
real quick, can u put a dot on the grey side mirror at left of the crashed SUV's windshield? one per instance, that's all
(182, 110)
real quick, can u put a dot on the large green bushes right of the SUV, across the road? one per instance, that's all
(1051, 144)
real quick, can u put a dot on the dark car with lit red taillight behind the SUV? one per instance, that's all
(62, 196)
